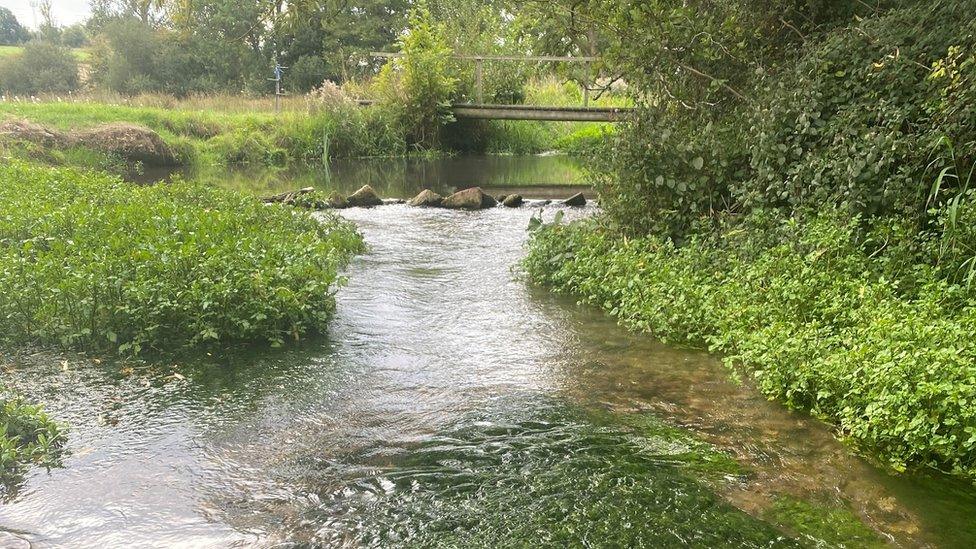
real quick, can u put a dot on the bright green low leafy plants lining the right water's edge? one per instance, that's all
(806, 310)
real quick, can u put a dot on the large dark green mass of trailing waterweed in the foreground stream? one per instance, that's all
(554, 479)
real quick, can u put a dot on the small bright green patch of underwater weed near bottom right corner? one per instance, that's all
(823, 525)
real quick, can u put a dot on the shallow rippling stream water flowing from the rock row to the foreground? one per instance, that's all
(452, 404)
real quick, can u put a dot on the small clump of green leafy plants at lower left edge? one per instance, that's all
(27, 436)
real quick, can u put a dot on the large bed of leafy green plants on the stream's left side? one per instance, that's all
(89, 262)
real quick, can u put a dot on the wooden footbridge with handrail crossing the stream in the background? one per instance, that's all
(482, 111)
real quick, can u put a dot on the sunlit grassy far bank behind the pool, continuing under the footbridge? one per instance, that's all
(201, 133)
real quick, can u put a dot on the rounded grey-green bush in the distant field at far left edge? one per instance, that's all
(41, 68)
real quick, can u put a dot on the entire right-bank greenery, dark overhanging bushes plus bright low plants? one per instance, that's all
(795, 193)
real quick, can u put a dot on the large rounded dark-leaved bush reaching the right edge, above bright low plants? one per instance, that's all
(859, 118)
